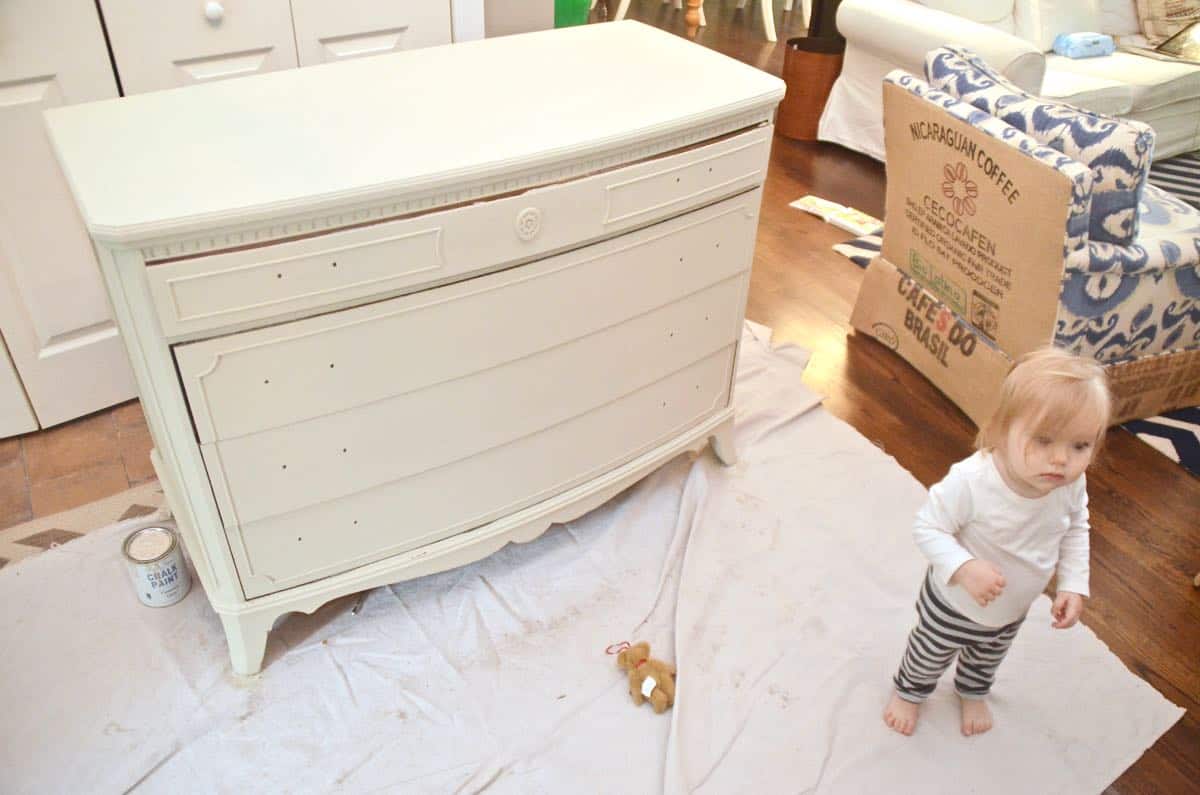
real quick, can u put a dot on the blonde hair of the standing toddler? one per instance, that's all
(1049, 388)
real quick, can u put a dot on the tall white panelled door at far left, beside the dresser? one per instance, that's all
(55, 314)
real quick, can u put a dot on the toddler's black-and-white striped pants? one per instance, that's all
(940, 635)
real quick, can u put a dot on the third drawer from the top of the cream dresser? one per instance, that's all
(278, 471)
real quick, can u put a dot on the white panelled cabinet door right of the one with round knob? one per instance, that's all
(329, 31)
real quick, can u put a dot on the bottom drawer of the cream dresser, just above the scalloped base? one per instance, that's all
(331, 537)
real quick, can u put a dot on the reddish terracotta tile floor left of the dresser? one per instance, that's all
(74, 464)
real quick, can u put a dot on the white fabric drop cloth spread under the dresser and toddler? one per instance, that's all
(783, 588)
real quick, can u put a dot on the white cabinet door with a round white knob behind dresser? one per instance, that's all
(167, 44)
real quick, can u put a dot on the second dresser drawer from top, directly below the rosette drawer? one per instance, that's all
(283, 375)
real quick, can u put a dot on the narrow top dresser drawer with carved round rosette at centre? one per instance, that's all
(242, 289)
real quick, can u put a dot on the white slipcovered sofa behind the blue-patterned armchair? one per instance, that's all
(1016, 38)
